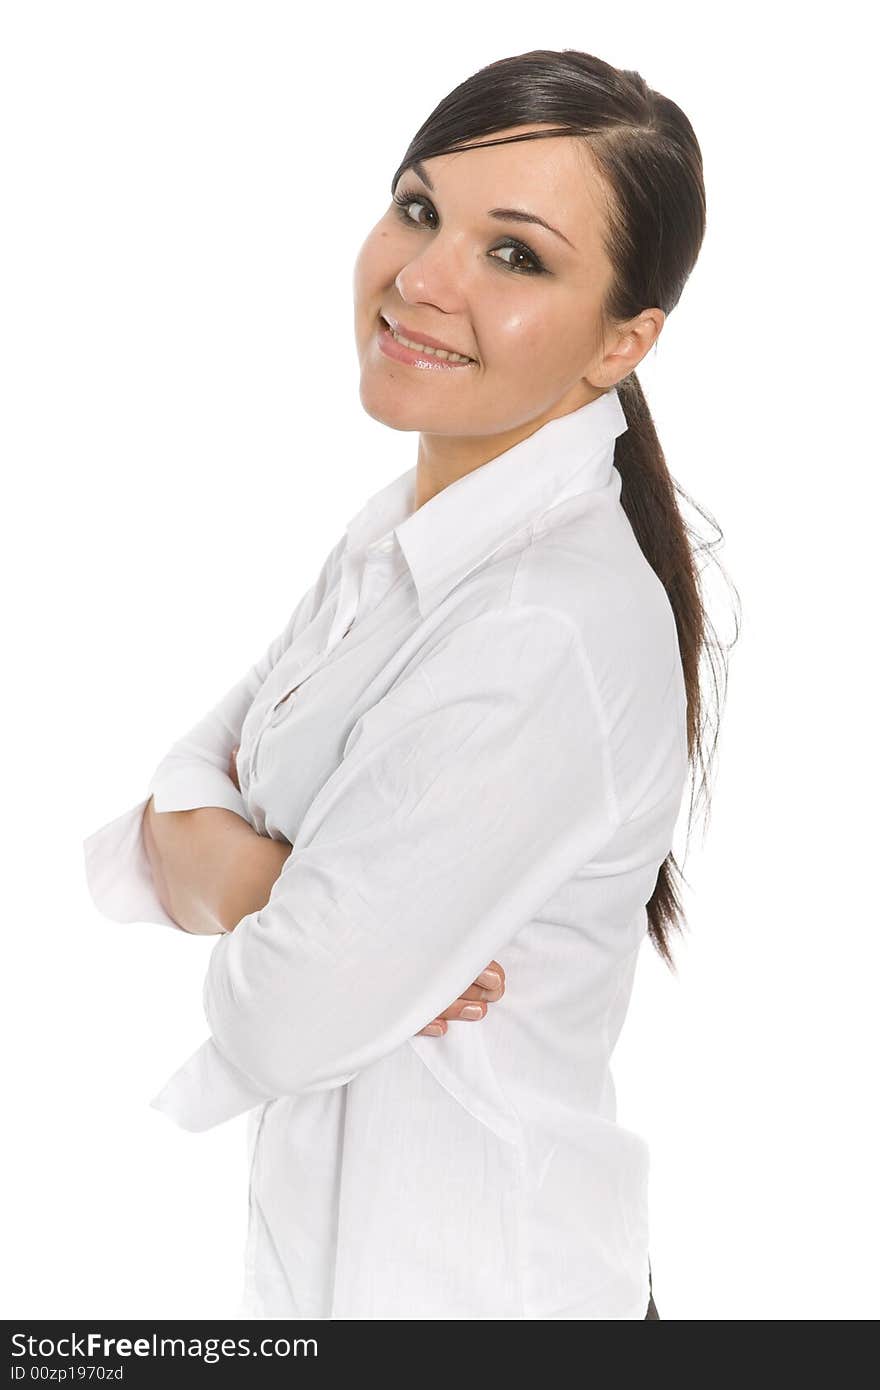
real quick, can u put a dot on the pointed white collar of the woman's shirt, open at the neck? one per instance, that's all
(465, 523)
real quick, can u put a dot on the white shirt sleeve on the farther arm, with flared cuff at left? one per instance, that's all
(193, 774)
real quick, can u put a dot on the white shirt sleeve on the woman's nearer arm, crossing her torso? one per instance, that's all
(464, 800)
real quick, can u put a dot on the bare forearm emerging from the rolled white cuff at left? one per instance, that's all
(211, 867)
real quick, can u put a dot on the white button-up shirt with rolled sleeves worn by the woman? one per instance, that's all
(473, 733)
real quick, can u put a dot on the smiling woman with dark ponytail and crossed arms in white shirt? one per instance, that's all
(475, 732)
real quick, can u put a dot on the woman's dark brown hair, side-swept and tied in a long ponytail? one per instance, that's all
(651, 167)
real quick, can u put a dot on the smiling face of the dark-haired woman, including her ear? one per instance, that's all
(447, 266)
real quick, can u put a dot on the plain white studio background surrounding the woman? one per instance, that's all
(186, 188)
